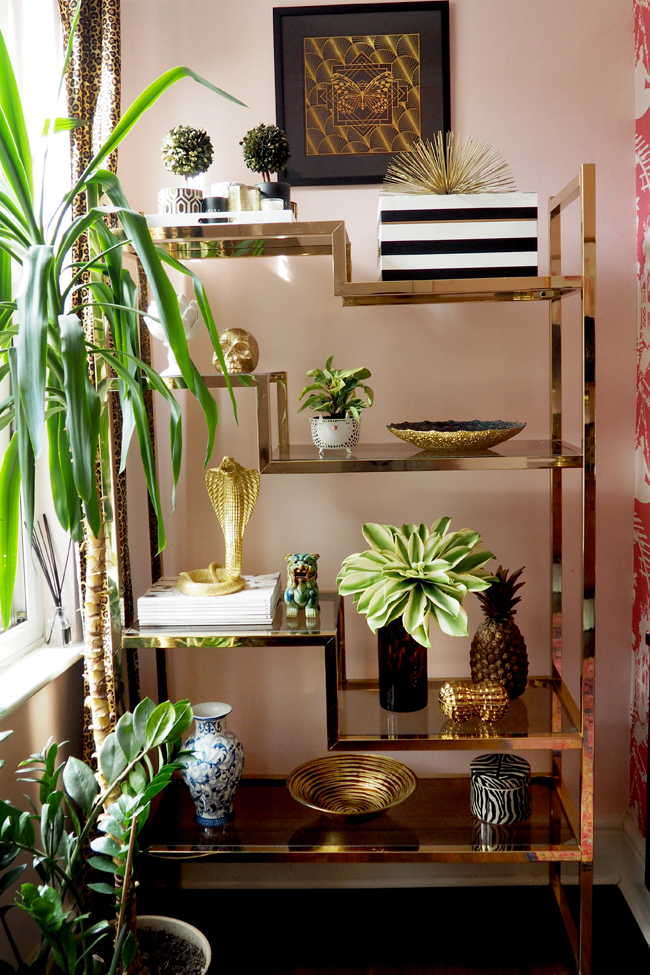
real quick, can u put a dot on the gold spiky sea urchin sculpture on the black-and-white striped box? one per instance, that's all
(450, 165)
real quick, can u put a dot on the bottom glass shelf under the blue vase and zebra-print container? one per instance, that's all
(434, 824)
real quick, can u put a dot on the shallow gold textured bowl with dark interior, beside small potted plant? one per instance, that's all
(456, 435)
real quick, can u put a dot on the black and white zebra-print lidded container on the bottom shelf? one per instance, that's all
(500, 785)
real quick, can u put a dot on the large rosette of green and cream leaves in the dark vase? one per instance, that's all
(416, 573)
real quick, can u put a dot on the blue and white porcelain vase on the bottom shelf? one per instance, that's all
(214, 777)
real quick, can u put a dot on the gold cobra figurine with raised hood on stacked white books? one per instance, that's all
(233, 491)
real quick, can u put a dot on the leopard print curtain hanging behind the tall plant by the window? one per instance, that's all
(93, 83)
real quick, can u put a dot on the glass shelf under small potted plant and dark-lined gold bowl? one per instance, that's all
(396, 455)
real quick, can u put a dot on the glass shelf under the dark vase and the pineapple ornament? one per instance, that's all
(544, 716)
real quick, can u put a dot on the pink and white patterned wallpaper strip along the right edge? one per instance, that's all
(641, 612)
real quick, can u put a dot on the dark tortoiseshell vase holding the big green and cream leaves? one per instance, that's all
(402, 669)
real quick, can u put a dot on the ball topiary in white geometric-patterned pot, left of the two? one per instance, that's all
(186, 152)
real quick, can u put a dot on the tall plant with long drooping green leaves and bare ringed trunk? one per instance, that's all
(59, 373)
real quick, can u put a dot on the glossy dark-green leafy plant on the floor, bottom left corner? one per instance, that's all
(135, 763)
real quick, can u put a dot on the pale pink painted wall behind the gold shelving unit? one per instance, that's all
(550, 85)
